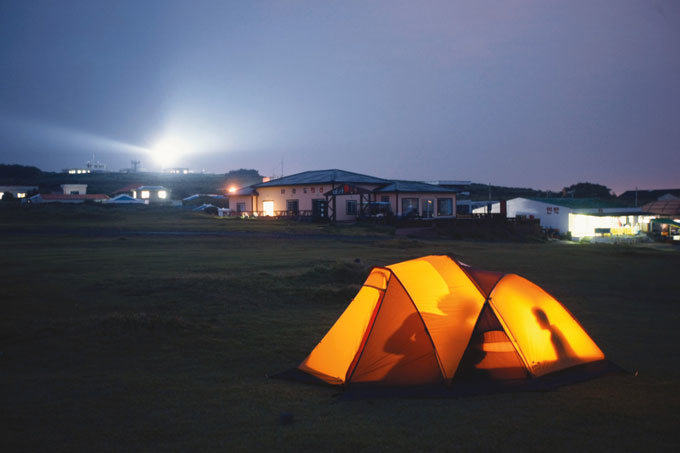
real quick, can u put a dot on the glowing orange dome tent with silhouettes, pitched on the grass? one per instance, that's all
(432, 320)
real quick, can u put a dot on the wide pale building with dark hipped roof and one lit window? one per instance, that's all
(342, 195)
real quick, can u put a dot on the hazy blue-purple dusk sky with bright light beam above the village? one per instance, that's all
(538, 94)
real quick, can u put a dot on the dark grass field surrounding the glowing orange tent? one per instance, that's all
(119, 342)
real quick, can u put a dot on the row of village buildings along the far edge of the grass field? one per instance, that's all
(343, 196)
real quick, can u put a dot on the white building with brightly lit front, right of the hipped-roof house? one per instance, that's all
(582, 217)
